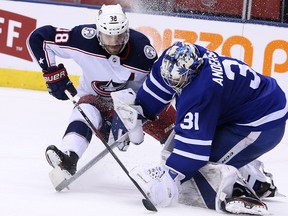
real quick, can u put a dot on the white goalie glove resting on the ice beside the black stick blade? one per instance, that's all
(157, 184)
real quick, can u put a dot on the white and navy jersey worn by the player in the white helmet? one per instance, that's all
(102, 73)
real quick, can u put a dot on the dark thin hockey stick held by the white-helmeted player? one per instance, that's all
(146, 202)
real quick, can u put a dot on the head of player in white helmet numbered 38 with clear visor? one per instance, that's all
(112, 28)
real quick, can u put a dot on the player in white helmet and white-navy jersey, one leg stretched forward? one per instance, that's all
(112, 57)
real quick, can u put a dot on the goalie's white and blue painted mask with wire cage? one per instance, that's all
(180, 64)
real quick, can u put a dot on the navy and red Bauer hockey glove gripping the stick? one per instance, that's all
(57, 82)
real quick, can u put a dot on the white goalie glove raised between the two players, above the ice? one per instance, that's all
(129, 114)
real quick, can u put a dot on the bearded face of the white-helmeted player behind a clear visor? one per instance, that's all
(114, 43)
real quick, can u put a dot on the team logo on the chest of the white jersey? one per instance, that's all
(104, 88)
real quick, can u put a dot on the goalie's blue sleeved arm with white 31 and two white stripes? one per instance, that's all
(197, 120)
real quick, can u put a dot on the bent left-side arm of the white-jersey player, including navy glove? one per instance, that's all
(43, 43)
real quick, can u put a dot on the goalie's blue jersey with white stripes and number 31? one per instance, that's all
(227, 92)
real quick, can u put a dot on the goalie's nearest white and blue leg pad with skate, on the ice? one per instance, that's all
(221, 187)
